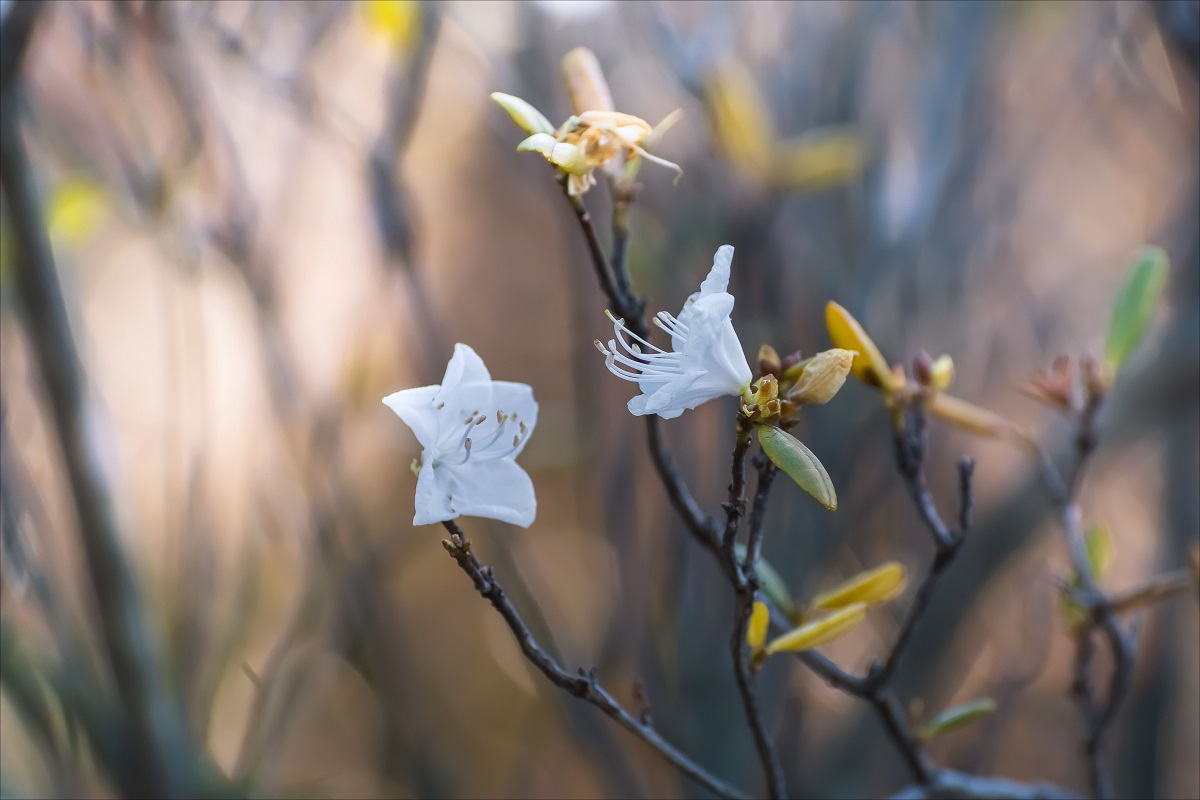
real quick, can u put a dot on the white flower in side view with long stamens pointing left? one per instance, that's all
(706, 360)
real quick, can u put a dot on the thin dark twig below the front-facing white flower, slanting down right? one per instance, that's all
(585, 684)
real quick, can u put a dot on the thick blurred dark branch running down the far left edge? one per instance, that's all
(158, 760)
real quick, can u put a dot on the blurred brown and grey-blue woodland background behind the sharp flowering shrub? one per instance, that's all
(267, 216)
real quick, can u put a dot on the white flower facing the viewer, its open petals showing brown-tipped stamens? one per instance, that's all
(471, 429)
